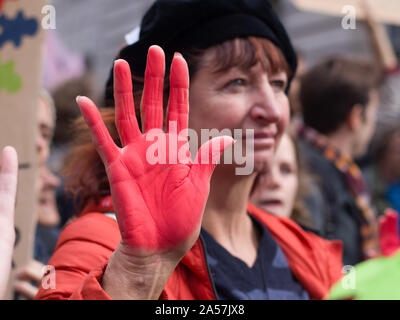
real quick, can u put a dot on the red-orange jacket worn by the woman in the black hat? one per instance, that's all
(86, 244)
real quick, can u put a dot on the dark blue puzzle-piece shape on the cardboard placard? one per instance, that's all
(14, 29)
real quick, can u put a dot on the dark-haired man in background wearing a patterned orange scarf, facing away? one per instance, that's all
(339, 98)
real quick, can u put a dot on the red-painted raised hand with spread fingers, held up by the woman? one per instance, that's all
(159, 206)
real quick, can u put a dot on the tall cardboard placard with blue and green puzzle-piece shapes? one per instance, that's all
(21, 41)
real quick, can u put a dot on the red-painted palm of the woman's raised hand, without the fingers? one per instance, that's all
(158, 215)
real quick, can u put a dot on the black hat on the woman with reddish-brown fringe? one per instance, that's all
(184, 25)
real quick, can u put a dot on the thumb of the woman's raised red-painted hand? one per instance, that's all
(208, 157)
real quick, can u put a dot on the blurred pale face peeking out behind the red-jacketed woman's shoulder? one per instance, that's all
(277, 188)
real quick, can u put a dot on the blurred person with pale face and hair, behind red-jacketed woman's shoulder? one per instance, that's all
(281, 189)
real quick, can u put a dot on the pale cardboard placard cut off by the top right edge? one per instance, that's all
(385, 11)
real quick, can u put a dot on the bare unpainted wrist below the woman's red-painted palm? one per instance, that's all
(134, 276)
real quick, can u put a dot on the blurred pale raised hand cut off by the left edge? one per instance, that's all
(8, 191)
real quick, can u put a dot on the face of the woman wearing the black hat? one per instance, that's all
(241, 99)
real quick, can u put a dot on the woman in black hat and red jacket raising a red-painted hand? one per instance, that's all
(155, 251)
